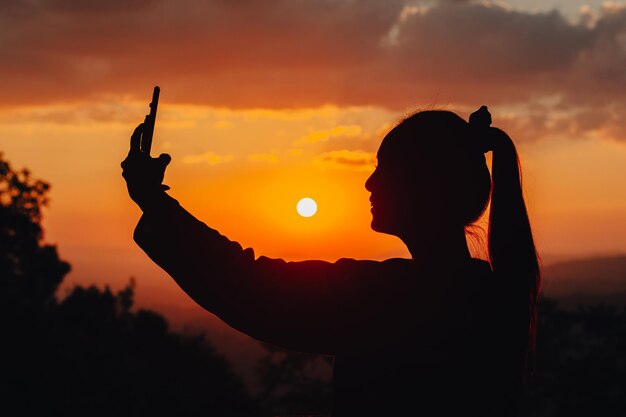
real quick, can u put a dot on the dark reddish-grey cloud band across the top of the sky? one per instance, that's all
(293, 53)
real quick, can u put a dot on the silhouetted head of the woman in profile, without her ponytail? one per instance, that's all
(431, 173)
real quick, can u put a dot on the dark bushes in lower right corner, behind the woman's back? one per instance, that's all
(580, 362)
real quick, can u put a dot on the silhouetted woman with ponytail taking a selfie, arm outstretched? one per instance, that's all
(441, 334)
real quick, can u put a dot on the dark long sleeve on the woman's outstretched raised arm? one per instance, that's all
(312, 306)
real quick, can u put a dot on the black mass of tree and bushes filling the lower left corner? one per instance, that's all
(91, 354)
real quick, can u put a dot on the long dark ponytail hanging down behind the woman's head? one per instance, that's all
(512, 252)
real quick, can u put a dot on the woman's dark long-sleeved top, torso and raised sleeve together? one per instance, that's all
(407, 337)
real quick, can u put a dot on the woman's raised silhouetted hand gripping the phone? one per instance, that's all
(144, 174)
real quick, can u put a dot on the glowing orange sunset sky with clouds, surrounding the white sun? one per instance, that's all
(266, 102)
